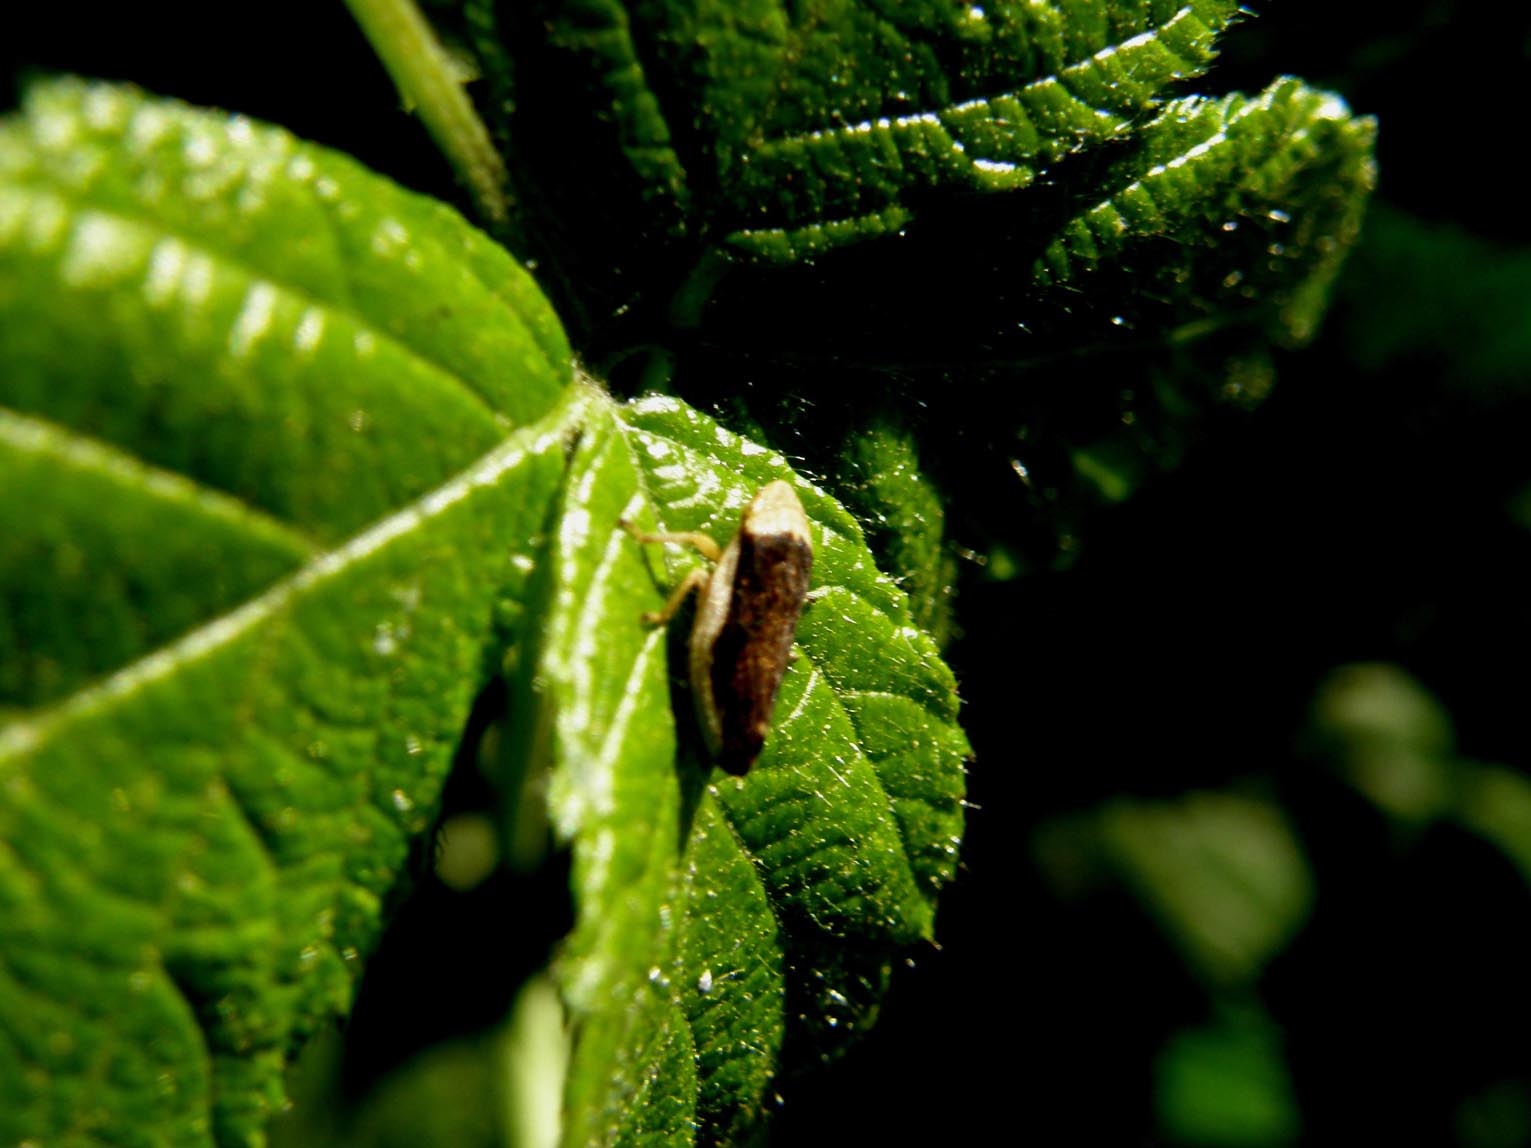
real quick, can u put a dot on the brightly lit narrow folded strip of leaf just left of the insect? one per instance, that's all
(595, 703)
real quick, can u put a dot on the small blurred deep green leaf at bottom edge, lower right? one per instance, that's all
(1227, 1086)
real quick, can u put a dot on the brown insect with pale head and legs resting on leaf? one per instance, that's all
(746, 618)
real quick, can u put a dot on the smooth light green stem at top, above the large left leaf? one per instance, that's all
(429, 85)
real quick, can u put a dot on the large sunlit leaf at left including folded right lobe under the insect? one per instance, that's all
(299, 442)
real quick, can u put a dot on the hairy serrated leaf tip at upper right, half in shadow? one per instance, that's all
(1290, 166)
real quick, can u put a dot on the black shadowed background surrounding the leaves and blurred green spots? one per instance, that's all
(1373, 510)
